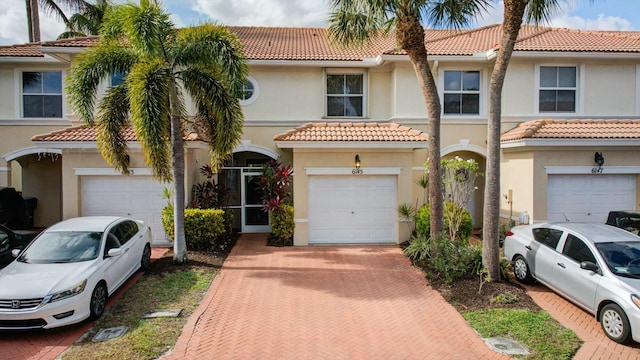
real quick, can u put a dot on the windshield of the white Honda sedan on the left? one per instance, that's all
(62, 247)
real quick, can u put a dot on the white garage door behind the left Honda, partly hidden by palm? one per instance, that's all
(139, 197)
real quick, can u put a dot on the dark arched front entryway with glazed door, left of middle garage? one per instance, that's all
(241, 175)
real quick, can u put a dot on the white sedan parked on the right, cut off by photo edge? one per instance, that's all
(595, 266)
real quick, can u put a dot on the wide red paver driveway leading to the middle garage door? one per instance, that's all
(356, 302)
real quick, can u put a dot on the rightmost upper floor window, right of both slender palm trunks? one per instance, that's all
(558, 88)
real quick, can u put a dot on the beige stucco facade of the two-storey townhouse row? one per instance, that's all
(289, 94)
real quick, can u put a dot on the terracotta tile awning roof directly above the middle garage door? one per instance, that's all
(327, 132)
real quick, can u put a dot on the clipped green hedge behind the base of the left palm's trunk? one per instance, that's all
(203, 228)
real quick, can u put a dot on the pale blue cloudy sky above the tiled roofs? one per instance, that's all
(574, 14)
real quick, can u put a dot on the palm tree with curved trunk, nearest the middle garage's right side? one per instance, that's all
(355, 22)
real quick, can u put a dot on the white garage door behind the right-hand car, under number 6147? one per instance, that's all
(589, 197)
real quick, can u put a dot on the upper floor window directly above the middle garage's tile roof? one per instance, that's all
(345, 95)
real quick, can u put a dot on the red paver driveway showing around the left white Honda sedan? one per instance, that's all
(49, 344)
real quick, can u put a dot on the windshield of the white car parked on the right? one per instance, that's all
(623, 258)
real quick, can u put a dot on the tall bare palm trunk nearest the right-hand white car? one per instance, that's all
(513, 12)
